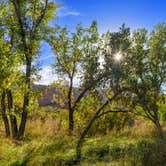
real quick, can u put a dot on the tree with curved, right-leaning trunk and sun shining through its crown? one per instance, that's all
(113, 84)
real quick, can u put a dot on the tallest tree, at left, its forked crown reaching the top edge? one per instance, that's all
(29, 20)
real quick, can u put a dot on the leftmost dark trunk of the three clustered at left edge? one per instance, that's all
(4, 116)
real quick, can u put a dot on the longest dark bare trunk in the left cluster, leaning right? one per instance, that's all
(26, 99)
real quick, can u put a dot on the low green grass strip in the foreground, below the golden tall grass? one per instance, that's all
(102, 150)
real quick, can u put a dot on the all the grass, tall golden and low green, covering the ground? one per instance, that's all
(46, 145)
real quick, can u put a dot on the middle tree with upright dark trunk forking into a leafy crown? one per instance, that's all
(77, 54)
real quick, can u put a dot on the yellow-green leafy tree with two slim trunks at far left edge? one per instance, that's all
(9, 71)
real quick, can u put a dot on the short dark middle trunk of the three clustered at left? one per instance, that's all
(13, 119)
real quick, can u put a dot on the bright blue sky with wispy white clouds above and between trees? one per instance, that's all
(110, 14)
